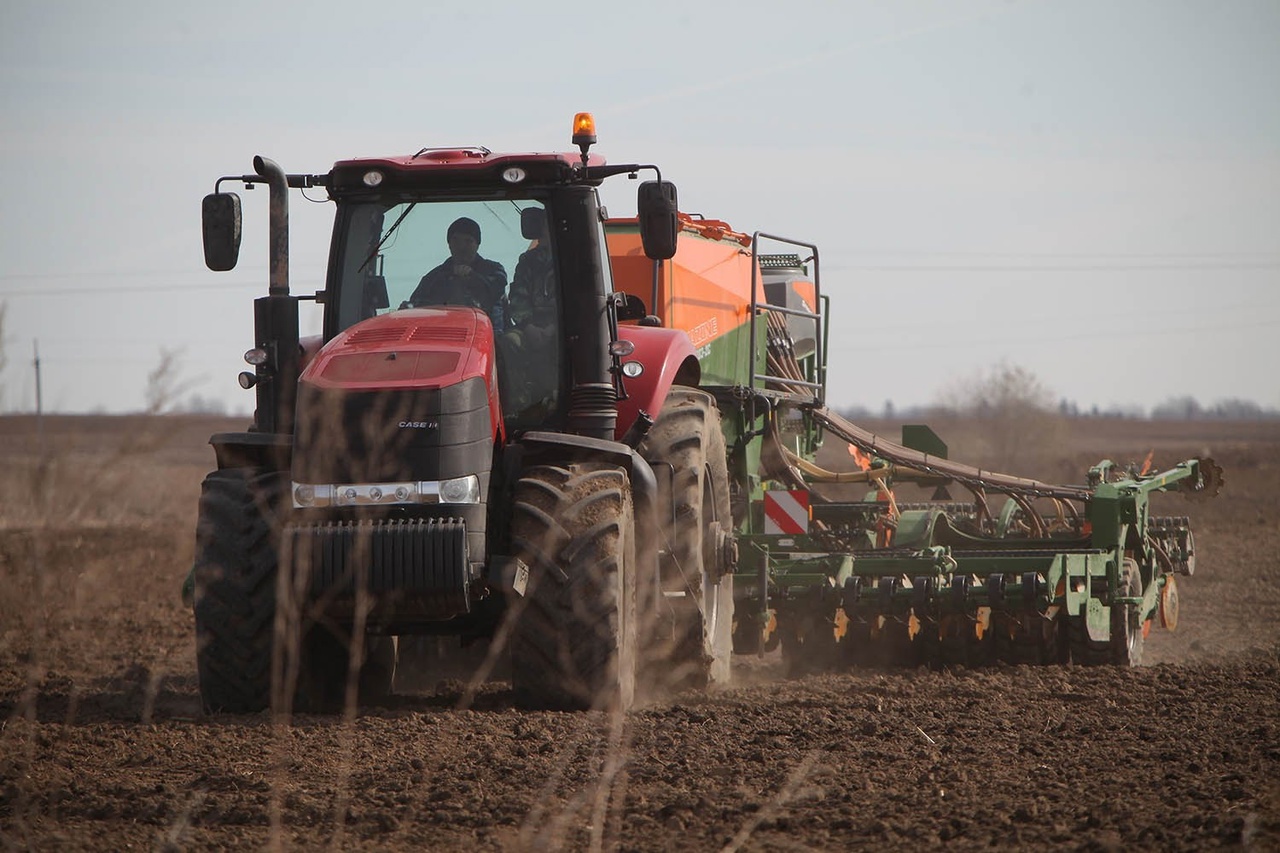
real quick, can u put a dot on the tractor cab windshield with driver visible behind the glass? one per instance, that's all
(496, 257)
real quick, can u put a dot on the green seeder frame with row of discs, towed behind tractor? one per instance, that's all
(949, 582)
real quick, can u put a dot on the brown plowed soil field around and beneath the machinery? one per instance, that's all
(104, 745)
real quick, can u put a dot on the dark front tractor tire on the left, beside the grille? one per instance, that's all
(235, 576)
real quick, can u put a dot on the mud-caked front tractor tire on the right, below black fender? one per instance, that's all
(573, 645)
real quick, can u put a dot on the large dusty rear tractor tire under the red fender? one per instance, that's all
(687, 453)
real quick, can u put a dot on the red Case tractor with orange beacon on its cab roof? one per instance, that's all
(474, 448)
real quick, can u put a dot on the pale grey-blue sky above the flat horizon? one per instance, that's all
(1089, 190)
